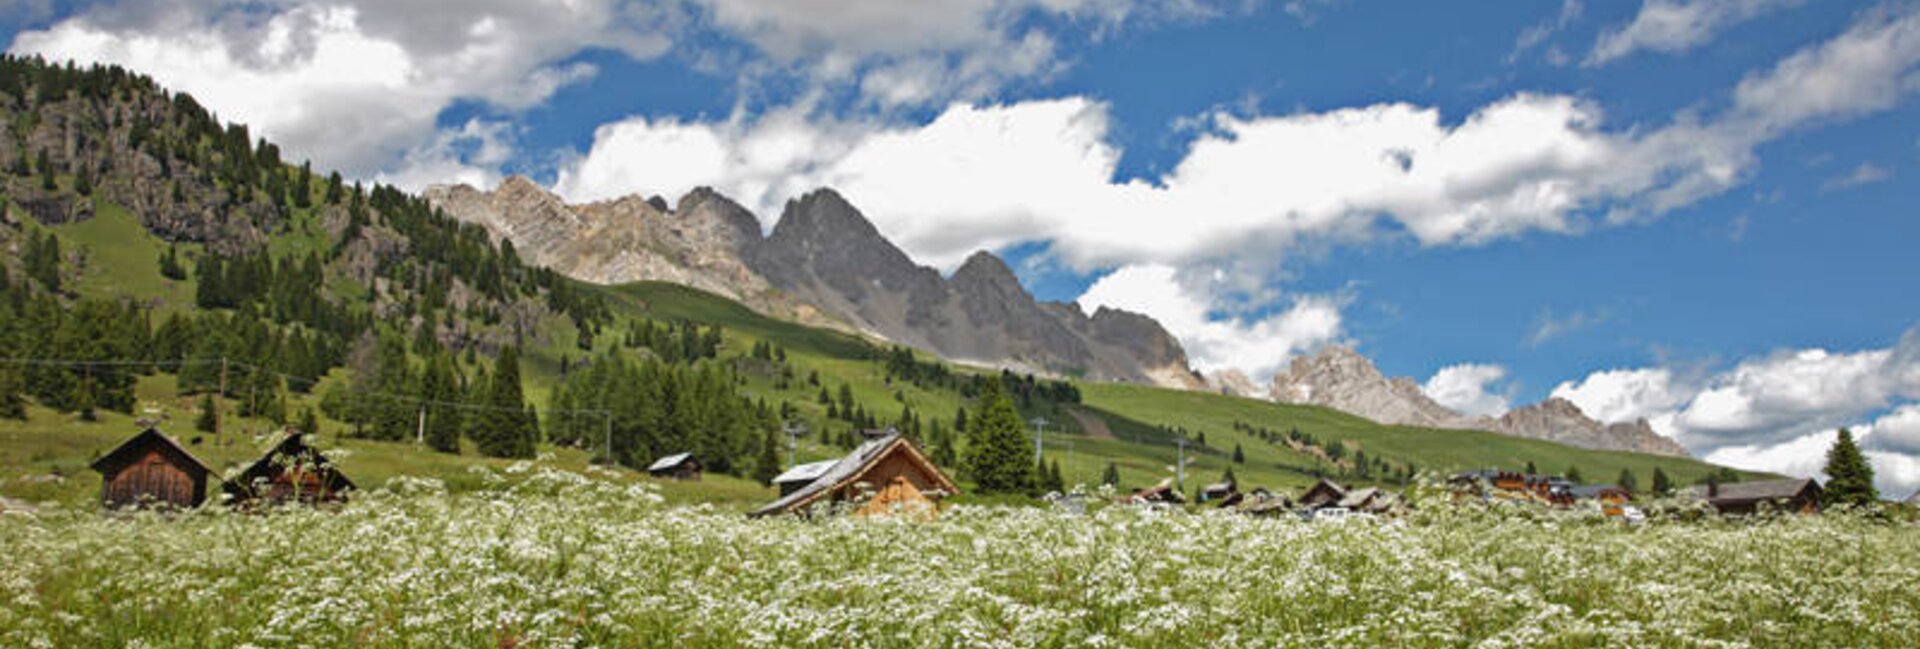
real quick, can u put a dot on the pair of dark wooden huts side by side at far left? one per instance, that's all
(155, 471)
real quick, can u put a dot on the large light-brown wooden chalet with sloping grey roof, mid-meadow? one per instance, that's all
(886, 464)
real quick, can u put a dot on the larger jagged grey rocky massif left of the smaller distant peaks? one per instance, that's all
(823, 264)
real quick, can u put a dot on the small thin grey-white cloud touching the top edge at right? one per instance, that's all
(1679, 26)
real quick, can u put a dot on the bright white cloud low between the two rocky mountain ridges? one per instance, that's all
(1253, 345)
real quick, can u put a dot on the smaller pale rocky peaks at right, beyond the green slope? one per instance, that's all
(1347, 381)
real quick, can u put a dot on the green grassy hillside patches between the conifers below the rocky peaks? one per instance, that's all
(1130, 423)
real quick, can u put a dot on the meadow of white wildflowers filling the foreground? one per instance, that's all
(562, 560)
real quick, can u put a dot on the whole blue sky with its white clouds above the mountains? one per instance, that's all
(1691, 212)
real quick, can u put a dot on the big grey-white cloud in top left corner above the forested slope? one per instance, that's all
(352, 85)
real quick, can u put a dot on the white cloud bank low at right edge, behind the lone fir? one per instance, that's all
(1779, 412)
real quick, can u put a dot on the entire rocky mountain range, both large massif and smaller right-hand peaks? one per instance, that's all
(825, 264)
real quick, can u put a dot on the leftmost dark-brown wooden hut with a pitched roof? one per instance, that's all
(153, 471)
